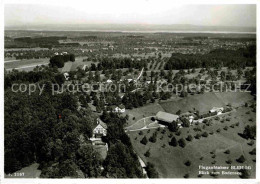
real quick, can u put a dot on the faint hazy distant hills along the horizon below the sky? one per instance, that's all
(133, 27)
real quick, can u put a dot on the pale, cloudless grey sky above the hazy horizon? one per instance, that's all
(129, 12)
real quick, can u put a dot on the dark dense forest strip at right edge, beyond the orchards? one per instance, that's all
(233, 59)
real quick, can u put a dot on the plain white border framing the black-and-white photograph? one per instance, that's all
(118, 181)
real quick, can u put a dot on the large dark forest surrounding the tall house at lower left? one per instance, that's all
(46, 129)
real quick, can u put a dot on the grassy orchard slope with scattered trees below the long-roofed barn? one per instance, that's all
(169, 161)
